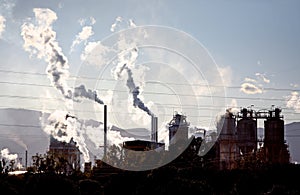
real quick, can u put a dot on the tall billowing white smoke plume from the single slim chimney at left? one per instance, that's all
(40, 40)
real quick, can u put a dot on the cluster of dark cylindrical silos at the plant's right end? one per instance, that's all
(238, 139)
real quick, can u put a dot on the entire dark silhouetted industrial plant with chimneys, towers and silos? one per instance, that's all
(234, 143)
